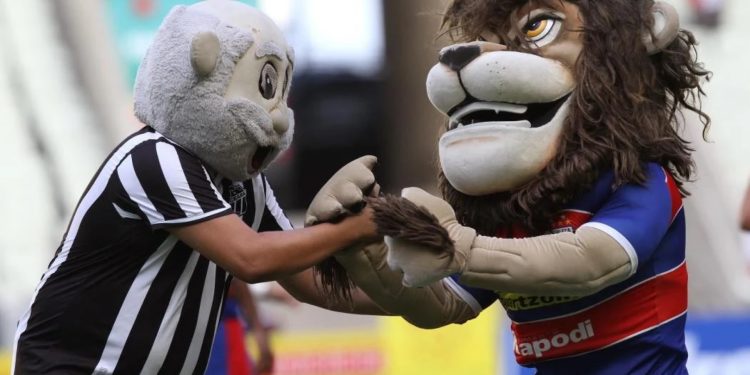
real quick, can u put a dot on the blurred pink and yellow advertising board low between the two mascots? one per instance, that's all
(394, 347)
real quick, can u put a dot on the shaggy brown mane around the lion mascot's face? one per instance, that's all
(623, 111)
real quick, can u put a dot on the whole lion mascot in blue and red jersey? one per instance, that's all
(562, 176)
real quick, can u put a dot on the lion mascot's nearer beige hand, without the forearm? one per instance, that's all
(422, 264)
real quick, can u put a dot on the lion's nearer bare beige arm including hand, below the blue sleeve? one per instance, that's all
(579, 263)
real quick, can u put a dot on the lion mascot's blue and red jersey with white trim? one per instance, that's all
(633, 327)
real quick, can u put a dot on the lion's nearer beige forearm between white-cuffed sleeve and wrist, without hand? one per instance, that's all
(579, 263)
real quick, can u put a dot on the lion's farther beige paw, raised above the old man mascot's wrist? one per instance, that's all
(344, 192)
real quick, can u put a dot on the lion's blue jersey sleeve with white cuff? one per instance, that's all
(638, 216)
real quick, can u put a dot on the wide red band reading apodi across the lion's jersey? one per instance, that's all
(630, 313)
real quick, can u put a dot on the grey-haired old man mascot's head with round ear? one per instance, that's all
(215, 81)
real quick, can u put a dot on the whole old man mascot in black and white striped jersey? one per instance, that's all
(179, 207)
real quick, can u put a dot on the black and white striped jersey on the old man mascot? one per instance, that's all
(122, 295)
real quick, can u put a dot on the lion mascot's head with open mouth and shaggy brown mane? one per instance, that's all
(544, 95)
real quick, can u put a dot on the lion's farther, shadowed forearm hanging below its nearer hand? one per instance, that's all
(433, 306)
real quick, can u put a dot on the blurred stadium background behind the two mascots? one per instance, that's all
(66, 72)
